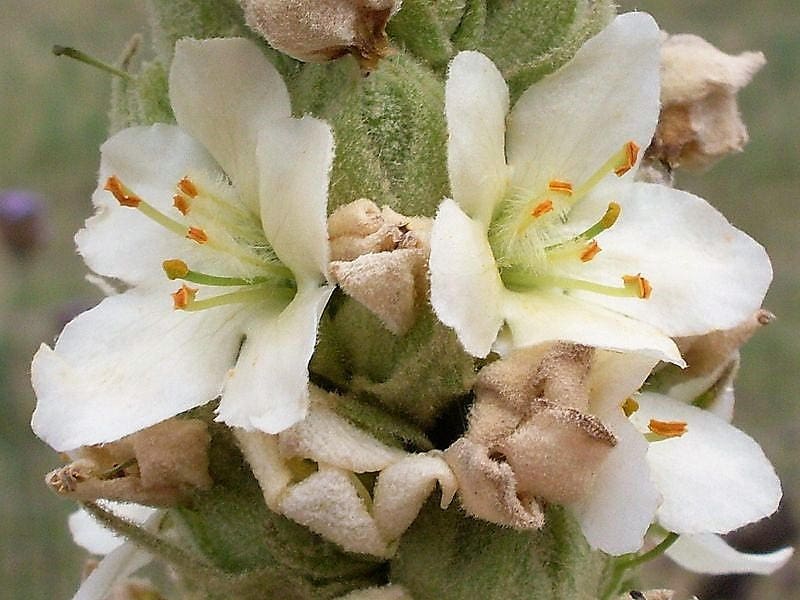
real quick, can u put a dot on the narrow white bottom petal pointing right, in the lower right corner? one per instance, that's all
(709, 553)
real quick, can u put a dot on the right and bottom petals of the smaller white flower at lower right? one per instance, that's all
(713, 479)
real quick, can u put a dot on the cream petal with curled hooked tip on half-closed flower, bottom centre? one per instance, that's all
(402, 489)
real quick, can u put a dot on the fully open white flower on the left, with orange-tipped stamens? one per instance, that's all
(234, 200)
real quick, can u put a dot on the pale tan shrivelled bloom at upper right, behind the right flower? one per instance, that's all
(700, 122)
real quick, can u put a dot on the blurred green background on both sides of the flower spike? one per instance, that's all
(54, 118)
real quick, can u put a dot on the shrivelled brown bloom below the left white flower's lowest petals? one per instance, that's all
(158, 466)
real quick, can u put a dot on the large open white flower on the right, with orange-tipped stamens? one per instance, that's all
(549, 237)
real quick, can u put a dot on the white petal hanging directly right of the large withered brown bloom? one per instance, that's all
(622, 504)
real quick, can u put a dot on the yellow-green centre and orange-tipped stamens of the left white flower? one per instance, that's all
(223, 233)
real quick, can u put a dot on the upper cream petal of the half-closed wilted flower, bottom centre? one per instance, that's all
(325, 437)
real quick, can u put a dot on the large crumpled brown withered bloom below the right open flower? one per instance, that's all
(530, 438)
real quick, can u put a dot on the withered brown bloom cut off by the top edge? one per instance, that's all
(322, 30)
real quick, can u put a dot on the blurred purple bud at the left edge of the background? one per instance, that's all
(21, 221)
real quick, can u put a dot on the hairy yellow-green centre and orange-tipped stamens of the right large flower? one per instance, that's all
(531, 234)
